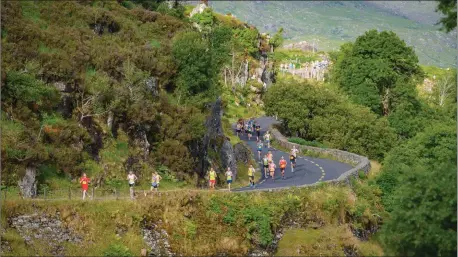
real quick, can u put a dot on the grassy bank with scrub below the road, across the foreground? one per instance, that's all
(212, 223)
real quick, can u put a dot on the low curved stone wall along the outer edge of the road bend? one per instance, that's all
(360, 163)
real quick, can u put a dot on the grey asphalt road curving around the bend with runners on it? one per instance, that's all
(308, 170)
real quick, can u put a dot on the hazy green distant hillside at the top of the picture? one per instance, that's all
(330, 24)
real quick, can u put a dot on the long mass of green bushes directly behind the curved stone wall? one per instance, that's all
(321, 114)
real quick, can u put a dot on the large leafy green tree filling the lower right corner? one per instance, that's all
(418, 182)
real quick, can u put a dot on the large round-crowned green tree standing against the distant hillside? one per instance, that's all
(371, 68)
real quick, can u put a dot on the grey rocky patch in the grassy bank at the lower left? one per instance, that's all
(45, 229)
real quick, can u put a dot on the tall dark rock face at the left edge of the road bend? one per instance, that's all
(215, 140)
